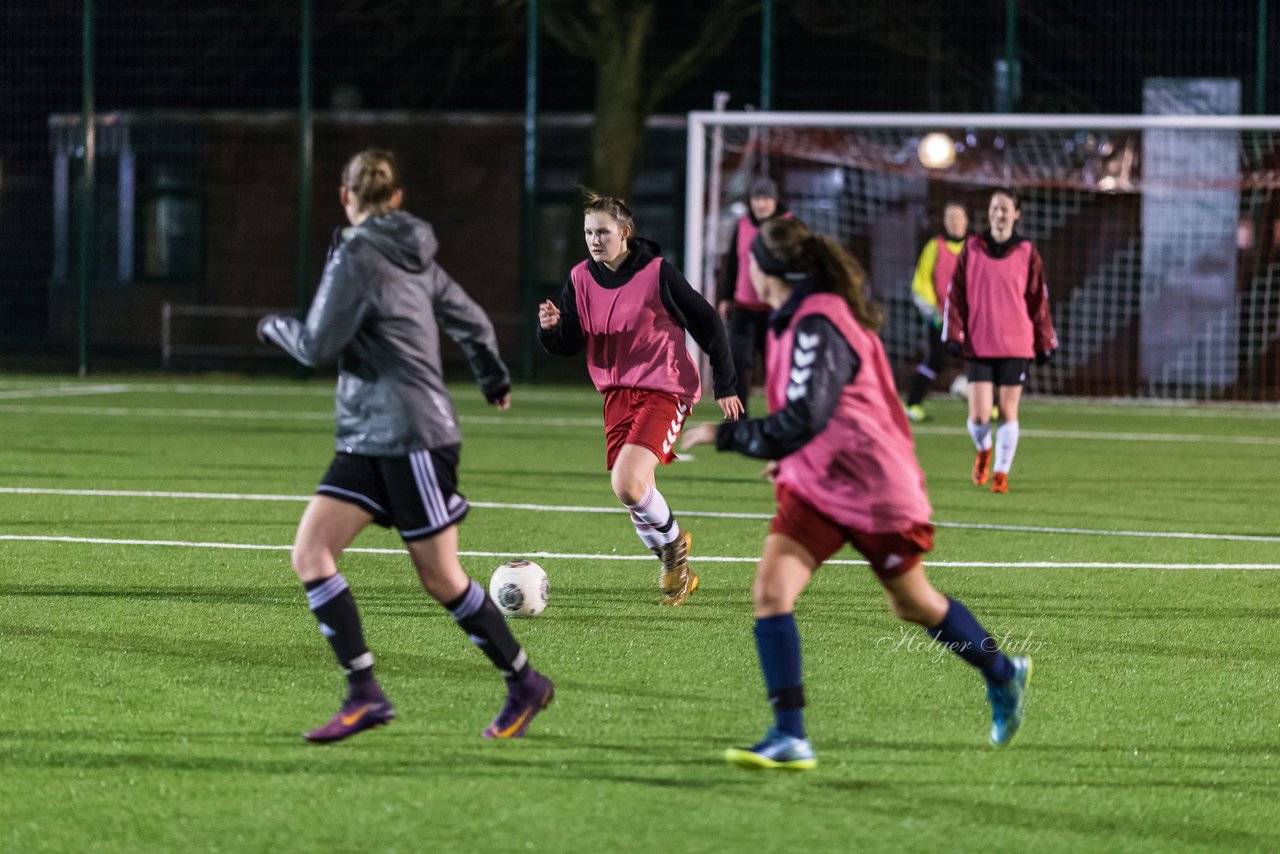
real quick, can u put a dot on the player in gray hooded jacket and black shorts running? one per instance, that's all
(377, 313)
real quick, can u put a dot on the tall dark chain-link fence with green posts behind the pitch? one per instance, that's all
(220, 134)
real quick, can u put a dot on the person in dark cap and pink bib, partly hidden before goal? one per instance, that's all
(743, 313)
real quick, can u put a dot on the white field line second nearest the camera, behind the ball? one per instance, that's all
(591, 509)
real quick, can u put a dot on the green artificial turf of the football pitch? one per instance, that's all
(156, 689)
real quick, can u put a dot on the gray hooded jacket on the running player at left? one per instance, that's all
(381, 299)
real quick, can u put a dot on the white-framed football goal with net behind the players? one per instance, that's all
(1160, 235)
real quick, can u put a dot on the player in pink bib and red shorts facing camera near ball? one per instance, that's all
(629, 309)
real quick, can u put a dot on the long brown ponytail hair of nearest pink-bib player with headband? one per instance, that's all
(825, 261)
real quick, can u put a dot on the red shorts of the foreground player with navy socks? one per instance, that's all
(890, 555)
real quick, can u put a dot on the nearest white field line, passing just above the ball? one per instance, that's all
(577, 556)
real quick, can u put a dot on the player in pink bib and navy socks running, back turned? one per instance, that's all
(845, 472)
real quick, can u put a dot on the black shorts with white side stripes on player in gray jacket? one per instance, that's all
(418, 495)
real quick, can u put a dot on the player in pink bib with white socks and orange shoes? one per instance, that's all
(998, 318)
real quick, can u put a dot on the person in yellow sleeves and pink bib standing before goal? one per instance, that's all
(930, 294)
